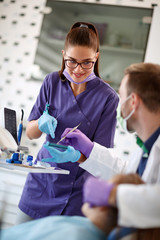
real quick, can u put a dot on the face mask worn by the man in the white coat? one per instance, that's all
(121, 120)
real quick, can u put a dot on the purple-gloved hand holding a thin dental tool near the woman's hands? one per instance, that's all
(78, 140)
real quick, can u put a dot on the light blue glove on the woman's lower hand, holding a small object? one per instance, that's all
(69, 155)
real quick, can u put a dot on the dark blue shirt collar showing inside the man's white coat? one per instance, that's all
(147, 145)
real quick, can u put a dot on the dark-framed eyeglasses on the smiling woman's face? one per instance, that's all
(73, 64)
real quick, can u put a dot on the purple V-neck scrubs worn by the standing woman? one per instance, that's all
(95, 108)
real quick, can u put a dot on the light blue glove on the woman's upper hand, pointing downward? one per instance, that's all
(47, 124)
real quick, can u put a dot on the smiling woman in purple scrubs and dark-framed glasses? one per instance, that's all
(76, 94)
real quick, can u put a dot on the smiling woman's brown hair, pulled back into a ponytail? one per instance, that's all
(82, 34)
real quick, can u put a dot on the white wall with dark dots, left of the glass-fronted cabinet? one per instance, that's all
(20, 25)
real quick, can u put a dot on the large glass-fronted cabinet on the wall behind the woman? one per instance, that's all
(123, 35)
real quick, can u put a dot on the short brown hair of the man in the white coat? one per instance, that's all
(144, 79)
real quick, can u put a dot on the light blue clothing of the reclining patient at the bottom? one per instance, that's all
(54, 228)
